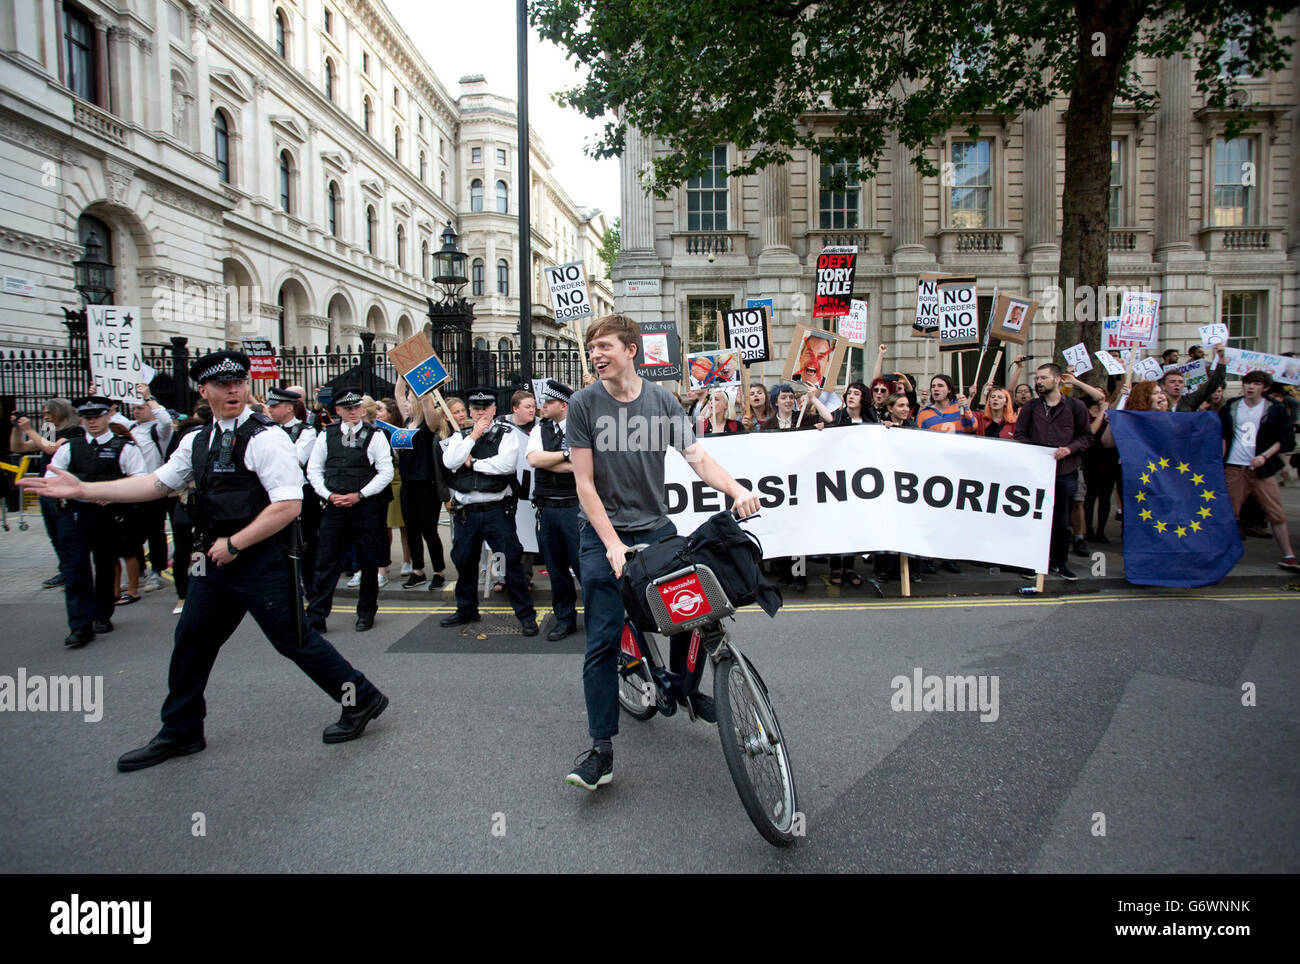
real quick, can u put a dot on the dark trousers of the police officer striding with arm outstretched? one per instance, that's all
(257, 583)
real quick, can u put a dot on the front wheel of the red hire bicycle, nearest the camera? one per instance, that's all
(760, 768)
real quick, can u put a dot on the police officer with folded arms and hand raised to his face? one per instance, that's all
(483, 459)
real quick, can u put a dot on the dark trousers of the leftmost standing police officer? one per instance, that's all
(88, 537)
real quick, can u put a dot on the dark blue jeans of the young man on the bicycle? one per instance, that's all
(603, 609)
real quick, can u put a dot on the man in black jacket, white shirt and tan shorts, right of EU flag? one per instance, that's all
(1256, 432)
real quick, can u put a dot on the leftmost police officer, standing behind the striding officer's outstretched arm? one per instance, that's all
(88, 533)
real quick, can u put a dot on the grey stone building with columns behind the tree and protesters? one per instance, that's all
(1211, 224)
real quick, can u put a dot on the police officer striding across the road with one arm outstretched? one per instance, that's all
(248, 490)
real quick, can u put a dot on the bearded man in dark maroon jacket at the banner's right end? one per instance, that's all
(1061, 424)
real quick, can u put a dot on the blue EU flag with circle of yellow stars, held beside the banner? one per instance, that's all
(1180, 529)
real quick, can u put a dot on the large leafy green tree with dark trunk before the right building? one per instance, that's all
(773, 76)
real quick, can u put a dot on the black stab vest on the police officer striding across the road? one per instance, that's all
(227, 494)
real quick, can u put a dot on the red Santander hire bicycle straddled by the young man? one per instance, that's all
(753, 745)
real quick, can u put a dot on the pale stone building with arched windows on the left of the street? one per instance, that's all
(275, 168)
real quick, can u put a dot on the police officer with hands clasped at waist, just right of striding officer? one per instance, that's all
(350, 468)
